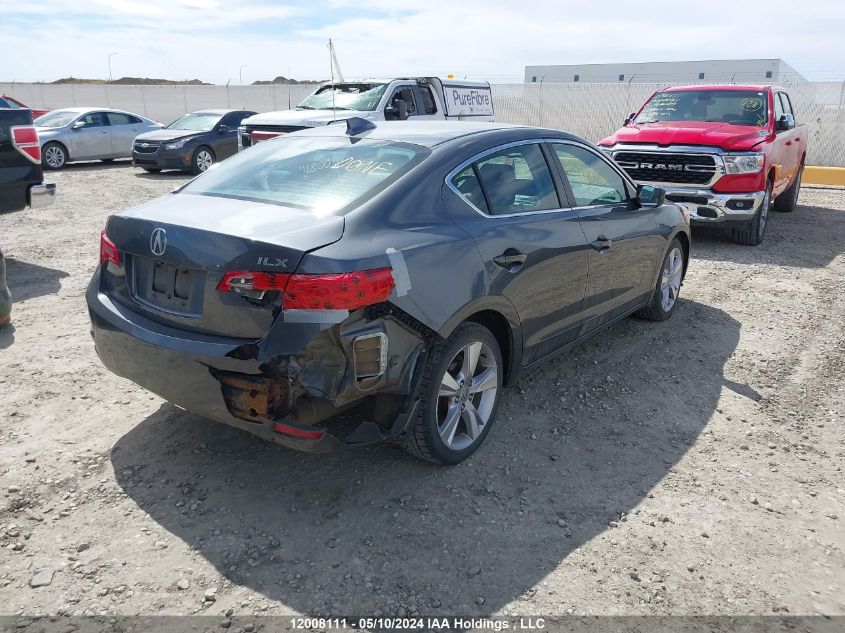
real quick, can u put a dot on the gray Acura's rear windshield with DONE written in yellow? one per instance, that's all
(325, 175)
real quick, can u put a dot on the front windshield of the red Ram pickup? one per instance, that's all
(736, 107)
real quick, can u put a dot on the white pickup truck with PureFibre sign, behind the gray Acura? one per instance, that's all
(417, 98)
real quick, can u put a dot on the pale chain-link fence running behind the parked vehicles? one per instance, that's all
(590, 110)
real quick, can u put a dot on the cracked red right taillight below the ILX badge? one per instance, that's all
(340, 291)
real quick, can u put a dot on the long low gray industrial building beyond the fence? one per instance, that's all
(774, 71)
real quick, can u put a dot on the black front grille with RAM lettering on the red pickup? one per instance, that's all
(681, 169)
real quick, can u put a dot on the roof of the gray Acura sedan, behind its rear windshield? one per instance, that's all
(425, 133)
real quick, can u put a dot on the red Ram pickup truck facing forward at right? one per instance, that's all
(728, 152)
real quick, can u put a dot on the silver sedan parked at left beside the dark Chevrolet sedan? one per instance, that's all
(88, 134)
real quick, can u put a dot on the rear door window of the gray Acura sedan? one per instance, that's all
(517, 180)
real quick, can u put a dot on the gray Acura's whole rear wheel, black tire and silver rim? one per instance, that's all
(449, 428)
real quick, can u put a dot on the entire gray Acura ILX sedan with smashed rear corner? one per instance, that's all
(411, 268)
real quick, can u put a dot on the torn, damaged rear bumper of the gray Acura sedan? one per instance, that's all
(289, 388)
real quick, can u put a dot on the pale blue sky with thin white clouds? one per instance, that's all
(221, 41)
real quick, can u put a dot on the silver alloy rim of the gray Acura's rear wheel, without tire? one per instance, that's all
(467, 395)
